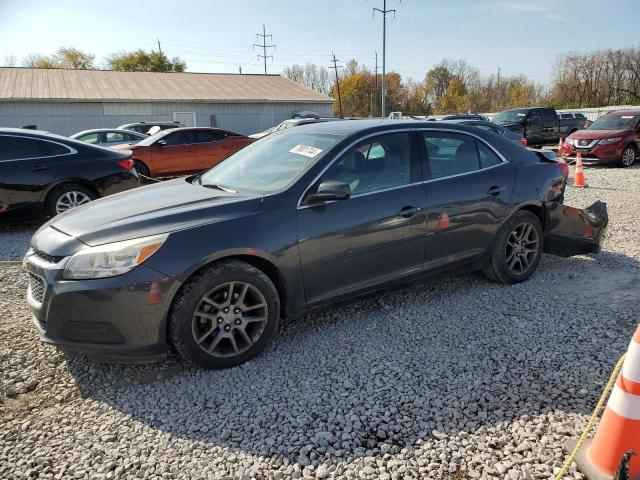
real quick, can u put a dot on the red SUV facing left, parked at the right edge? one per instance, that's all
(613, 138)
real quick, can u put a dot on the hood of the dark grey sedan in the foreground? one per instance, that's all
(160, 208)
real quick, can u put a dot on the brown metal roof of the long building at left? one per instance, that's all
(32, 84)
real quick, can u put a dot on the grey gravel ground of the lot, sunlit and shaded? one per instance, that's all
(453, 378)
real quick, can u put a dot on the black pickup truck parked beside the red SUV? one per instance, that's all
(539, 126)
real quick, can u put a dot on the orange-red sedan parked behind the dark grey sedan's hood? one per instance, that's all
(179, 151)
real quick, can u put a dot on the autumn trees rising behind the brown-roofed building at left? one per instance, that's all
(75, 59)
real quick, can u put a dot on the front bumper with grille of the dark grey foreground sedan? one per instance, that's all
(120, 318)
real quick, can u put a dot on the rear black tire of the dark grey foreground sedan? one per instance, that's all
(498, 268)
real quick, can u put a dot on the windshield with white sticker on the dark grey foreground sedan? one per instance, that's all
(271, 163)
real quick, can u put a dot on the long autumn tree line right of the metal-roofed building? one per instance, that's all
(602, 77)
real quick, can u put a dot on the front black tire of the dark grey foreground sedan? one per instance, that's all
(186, 323)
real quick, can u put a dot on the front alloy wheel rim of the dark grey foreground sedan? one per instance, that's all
(229, 319)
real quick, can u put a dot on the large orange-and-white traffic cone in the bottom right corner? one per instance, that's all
(619, 429)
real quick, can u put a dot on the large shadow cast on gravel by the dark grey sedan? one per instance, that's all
(453, 355)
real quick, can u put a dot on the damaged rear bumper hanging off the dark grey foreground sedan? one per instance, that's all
(575, 231)
